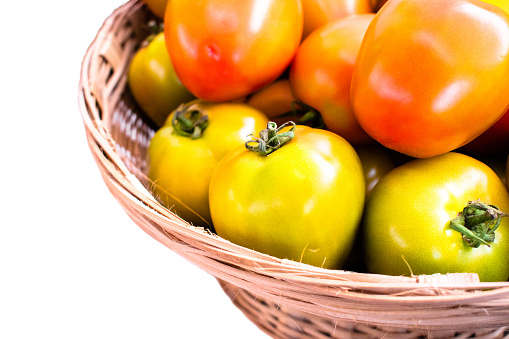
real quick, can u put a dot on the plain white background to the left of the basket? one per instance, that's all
(72, 264)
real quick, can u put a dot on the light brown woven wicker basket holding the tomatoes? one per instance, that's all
(285, 299)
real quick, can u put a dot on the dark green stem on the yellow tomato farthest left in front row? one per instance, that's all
(189, 120)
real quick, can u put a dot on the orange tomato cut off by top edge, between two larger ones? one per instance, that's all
(320, 12)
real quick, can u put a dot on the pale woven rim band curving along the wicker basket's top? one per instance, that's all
(238, 265)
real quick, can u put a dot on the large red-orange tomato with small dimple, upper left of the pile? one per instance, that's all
(225, 49)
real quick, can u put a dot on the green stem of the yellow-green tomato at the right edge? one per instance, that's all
(477, 223)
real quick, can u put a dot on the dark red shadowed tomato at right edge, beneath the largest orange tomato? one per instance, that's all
(494, 141)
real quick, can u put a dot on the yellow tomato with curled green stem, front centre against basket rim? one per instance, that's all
(303, 201)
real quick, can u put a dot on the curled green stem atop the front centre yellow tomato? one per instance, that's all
(271, 138)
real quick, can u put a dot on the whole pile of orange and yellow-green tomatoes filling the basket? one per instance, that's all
(345, 134)
